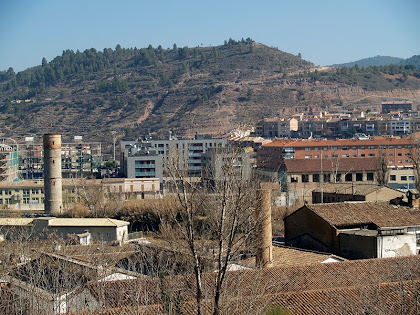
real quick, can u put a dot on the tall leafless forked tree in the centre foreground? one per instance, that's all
(216, 216)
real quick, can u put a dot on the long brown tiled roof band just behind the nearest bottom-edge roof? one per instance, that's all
(252, 283)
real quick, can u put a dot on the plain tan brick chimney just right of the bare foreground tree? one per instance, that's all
(264, 257)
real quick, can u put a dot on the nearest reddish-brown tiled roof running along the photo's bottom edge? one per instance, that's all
(391, 297)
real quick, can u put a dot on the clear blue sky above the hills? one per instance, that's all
(324, 32)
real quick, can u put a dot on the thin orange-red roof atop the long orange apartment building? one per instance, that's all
(338, 142)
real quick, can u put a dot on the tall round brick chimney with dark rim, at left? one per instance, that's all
(52, 174)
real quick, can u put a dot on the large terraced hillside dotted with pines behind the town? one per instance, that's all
(204, 89)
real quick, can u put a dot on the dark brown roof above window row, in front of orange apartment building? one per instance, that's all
(330, 165)
